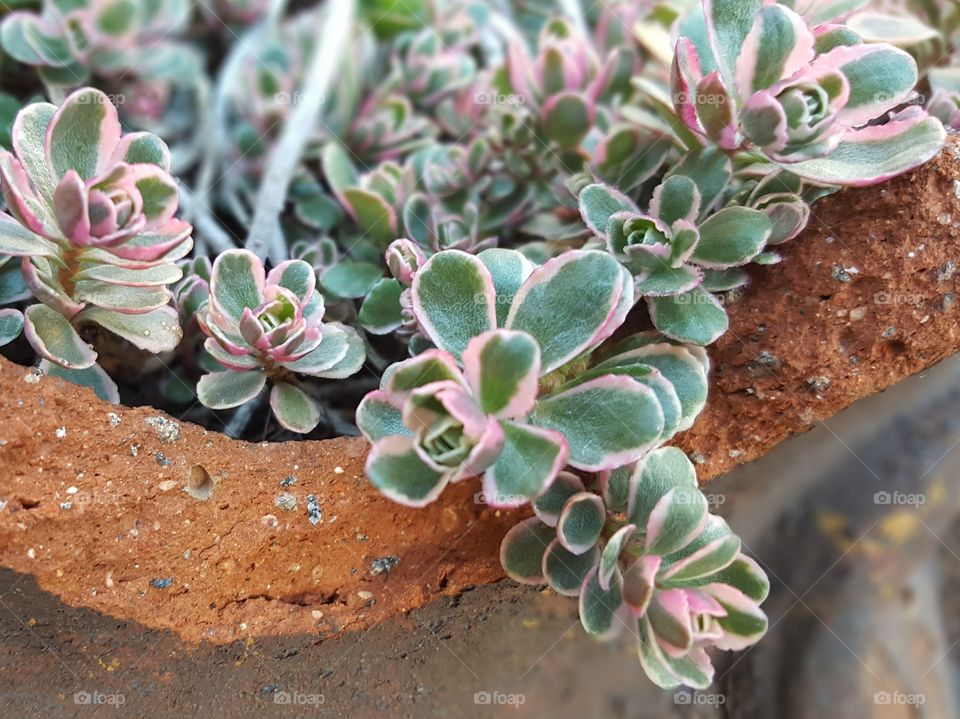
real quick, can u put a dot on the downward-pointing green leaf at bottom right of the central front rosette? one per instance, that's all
(529, 461)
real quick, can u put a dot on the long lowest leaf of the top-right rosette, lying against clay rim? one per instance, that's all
(876, 154)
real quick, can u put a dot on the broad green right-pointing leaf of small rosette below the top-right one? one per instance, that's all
(732, 237)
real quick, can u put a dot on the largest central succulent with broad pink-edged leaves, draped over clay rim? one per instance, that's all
(522, 331)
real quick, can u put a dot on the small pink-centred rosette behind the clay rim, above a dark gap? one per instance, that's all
(269, 327)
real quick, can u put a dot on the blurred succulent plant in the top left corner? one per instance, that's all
(72, 39)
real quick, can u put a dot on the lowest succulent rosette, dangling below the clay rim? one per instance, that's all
(647, 556)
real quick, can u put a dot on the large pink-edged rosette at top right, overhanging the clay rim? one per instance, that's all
(755, 75)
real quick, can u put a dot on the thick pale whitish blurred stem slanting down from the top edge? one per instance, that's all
(335, 30)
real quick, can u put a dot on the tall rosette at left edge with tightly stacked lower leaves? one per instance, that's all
(91, 212)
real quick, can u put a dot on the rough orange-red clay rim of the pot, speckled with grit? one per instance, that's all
(94, 499)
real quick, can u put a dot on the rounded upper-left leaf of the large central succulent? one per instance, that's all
(454, 300)
